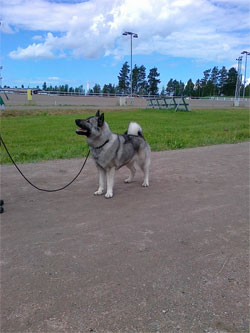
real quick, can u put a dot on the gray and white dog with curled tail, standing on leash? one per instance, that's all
(111, 151)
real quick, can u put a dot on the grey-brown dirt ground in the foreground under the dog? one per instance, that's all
(169, 258)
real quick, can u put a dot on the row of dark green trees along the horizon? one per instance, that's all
(215, 82)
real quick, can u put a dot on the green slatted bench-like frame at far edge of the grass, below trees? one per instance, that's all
(178, 103)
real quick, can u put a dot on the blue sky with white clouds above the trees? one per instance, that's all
(81, 42)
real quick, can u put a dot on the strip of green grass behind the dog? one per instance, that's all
(47, 136)
